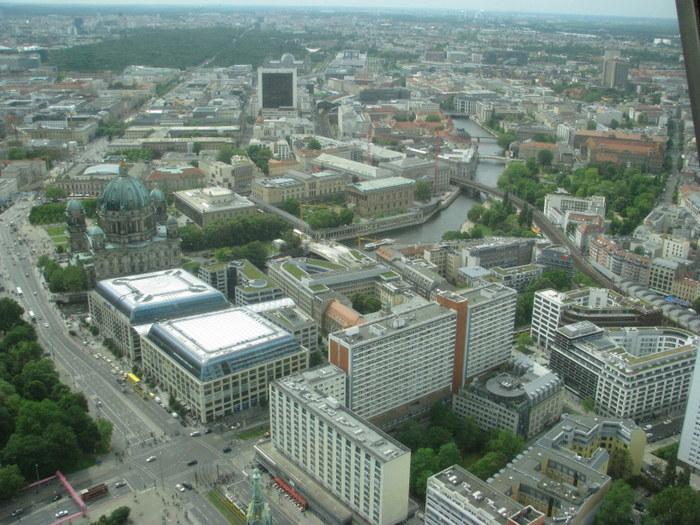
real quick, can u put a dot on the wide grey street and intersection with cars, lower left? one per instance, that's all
(142, 428)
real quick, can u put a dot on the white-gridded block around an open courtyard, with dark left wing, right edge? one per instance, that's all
(631, 373)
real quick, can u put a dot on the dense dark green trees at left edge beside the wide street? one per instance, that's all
(44, 426)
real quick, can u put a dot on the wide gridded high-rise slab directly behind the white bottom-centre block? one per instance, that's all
(398, 365)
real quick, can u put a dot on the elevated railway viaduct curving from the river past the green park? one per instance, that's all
(550, 230)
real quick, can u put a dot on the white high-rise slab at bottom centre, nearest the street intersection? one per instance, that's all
(357, 463)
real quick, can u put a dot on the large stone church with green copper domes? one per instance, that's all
(132, 235)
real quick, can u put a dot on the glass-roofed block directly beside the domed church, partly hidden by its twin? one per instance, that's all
(117, 306)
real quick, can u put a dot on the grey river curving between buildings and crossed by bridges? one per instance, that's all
(453, 217)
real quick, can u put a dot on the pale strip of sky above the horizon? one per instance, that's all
(637, 8)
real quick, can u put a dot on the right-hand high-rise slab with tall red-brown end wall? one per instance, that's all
(485, 321)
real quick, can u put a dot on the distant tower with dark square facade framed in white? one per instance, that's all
(277, 83)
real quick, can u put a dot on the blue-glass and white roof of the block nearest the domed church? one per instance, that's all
(145, 298)
